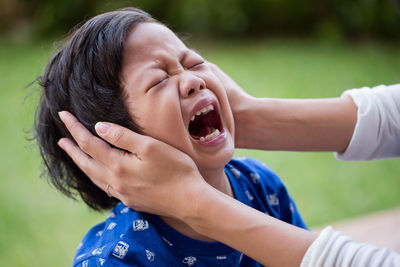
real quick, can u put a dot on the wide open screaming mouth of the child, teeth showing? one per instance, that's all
(205, 124)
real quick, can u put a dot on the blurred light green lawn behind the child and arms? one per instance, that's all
(39, 227)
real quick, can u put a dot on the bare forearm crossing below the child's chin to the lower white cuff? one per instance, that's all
(259, 236)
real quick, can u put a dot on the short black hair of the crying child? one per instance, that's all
(83, 77)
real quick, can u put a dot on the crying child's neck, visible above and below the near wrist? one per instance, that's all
(217, 179)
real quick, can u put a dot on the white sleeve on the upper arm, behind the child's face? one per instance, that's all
(377, 131)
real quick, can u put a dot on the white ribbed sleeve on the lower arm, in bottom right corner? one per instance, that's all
(333, 249)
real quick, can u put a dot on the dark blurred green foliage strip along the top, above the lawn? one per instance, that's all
(326, 19)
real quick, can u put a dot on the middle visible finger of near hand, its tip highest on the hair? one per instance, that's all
(90, 144)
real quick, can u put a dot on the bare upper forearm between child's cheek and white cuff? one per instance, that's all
(295, 124)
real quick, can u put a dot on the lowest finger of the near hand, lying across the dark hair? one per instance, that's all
(89, 166)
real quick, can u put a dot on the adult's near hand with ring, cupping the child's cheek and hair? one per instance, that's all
(144, 175)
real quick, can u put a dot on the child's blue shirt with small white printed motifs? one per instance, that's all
(131, 238)
